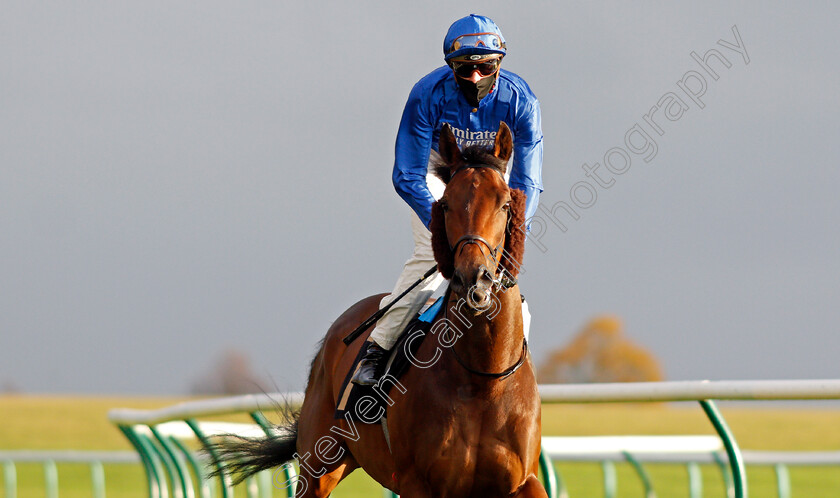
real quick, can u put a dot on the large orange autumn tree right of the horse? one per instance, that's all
(600, 353)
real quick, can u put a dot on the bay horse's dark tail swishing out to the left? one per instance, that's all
(242, 457)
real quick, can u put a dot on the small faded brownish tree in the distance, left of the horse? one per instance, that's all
(230, 374)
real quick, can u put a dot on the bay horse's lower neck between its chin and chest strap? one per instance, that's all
(492, 341)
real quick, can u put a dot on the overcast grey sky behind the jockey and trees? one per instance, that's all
(180, 178)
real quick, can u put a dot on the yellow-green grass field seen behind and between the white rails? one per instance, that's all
(36, 422)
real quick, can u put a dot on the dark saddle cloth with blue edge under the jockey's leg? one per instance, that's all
(368, 404)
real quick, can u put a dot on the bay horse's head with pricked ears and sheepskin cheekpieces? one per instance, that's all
(477, 226)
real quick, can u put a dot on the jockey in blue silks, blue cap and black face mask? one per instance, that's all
(473, 95)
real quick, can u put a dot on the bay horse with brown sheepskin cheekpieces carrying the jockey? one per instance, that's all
(466, 421)
